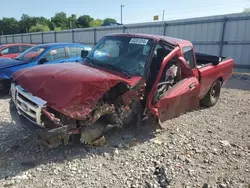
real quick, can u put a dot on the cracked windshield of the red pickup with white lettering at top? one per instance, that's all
(127, 55)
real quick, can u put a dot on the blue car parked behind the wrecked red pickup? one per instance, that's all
(51, 53)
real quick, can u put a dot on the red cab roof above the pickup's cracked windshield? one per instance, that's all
(171, 40)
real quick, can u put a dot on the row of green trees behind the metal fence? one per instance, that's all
(58, 22)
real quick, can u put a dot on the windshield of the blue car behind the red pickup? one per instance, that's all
(30, 54)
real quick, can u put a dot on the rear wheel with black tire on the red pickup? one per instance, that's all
(212, 96)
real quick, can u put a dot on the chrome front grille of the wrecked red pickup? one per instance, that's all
(28, 105)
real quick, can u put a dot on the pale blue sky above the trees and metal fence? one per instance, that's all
(135, 11)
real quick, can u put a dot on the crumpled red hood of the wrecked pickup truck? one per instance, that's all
(72, 89)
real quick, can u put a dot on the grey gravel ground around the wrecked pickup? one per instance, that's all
(205, 148)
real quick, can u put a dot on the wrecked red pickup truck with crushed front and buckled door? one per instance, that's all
(122, 79)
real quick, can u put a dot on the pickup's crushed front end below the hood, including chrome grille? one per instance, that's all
(118, 107)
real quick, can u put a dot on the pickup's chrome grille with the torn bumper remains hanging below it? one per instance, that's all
(34, 108)
